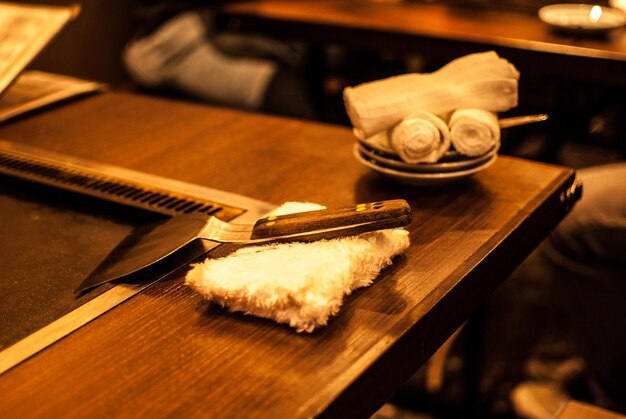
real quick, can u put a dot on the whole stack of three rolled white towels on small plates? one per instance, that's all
(470, 84)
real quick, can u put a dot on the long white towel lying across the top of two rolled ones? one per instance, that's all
(482, 80)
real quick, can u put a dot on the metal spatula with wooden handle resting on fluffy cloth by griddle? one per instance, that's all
(150, 244)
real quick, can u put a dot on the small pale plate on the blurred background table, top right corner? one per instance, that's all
(582, 17)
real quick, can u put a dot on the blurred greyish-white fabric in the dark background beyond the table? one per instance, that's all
(179, 55)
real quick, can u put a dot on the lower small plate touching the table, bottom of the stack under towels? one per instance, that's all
(421, 179)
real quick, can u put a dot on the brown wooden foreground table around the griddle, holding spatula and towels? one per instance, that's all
(166, 353)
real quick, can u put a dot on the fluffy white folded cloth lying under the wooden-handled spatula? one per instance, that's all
(300, 284)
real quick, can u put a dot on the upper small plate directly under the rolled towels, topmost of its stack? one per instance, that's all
(385, 160)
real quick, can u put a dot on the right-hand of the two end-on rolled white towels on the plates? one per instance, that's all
(474, 131)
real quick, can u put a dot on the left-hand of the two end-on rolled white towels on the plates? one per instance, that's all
(421, 138)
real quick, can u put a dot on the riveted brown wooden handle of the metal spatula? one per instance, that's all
(358, 219)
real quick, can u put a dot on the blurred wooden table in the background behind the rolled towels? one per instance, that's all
(437, 30)
